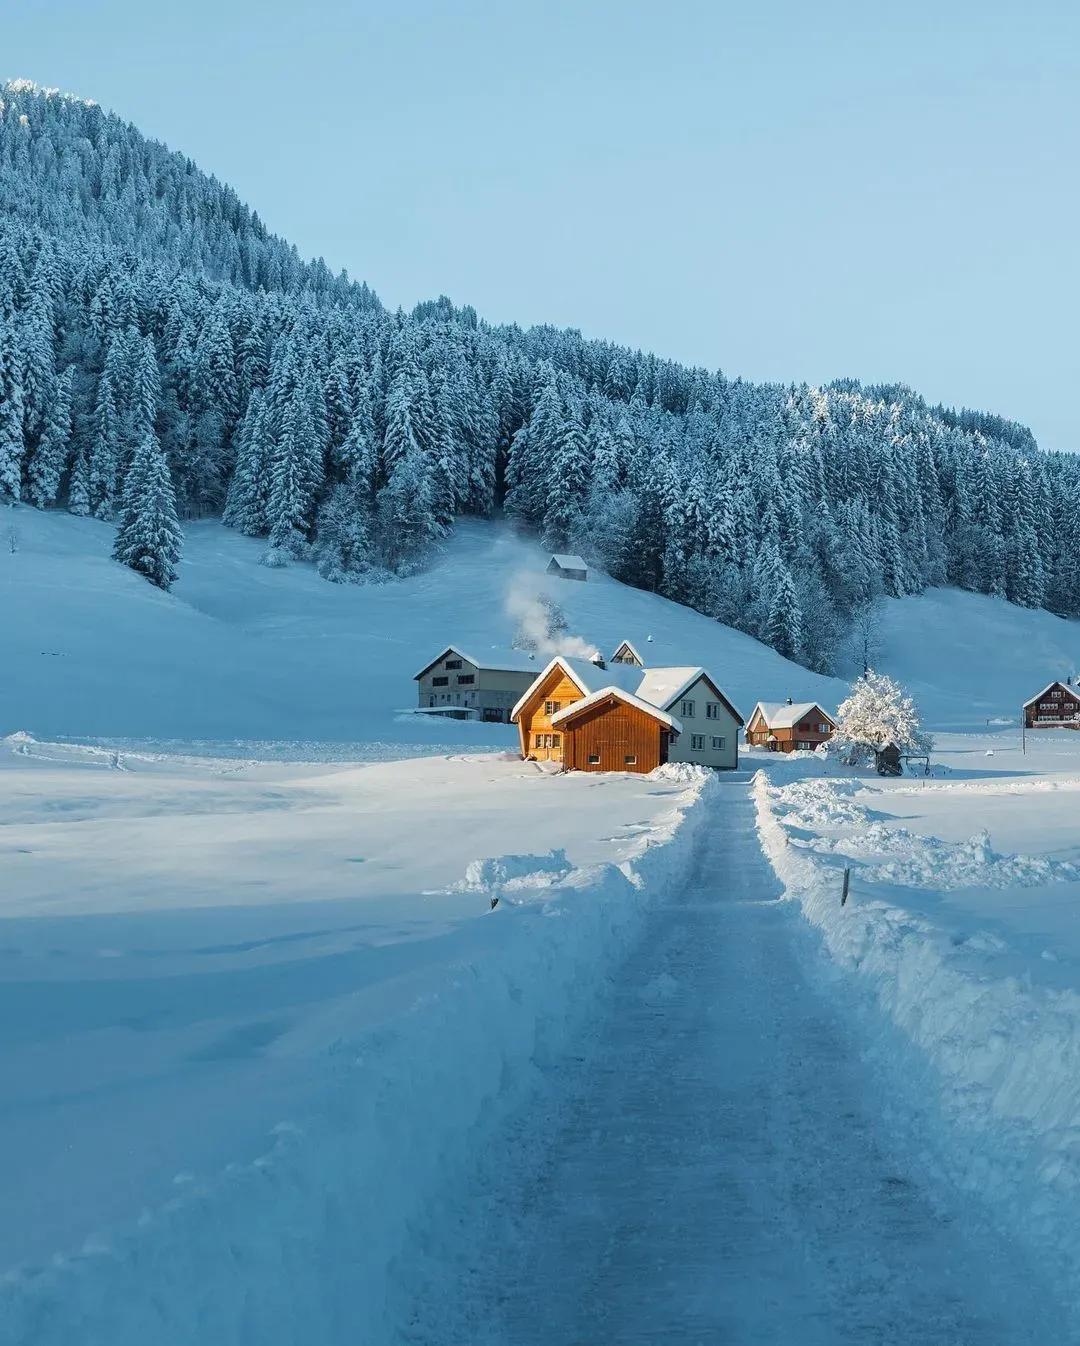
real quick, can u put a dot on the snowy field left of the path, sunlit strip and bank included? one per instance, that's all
(235, 994)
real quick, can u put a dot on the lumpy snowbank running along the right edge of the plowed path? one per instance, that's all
(1001, 1053)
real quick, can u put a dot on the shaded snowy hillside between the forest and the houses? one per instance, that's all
(239, 652)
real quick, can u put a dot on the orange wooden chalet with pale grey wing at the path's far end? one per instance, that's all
(589, 717)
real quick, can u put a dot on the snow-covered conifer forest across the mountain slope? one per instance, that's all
(165, 357)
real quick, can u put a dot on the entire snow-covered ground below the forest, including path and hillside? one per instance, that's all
(266, 1044)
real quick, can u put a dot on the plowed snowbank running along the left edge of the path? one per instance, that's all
(301, 1246)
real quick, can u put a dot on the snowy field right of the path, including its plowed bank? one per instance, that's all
(964, 932)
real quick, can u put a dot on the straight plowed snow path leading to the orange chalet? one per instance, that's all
(716, 1166)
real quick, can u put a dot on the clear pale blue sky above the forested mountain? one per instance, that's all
(783, 190)
